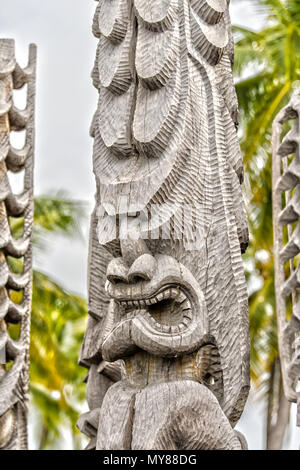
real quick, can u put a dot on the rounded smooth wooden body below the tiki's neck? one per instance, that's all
(176, 415)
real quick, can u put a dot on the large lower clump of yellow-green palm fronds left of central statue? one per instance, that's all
(57, 329)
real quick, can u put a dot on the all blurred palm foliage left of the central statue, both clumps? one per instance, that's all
(57, 328)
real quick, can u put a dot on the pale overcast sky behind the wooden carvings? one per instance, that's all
(66, 101)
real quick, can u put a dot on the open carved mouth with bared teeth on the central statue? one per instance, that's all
(169, 309)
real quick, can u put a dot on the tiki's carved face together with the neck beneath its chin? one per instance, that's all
(157, 320)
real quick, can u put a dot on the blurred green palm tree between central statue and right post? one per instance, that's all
(267, 68)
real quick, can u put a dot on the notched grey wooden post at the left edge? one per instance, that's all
(14, 380)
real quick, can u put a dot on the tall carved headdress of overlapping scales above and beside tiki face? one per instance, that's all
(165, 134)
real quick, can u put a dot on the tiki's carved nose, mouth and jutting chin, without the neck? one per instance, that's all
(158, 306)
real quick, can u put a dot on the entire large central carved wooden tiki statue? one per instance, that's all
(167, 338)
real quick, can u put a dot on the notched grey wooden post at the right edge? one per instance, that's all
(286, 212)
